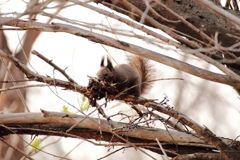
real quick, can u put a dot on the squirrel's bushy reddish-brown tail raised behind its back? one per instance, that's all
(146, 71)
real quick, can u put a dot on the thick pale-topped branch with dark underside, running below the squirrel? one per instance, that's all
(53, 123)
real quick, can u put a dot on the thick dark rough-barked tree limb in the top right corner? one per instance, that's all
(190, 10)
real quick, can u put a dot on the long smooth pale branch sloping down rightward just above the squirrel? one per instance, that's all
(130, 48)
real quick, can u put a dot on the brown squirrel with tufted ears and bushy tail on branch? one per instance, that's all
(134, 78)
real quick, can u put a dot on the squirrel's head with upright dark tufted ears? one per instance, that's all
(105, 73)
